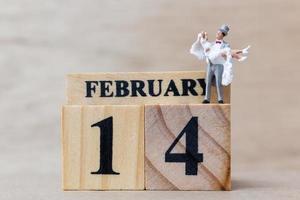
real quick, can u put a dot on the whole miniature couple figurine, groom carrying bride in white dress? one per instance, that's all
(218, 56)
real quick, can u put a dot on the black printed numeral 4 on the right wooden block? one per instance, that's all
(191, 157)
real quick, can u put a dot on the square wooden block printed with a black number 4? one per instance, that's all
(187, 147)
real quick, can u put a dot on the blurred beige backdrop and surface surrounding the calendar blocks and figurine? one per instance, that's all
(42, 41)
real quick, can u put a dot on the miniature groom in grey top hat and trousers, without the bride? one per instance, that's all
(215, 68)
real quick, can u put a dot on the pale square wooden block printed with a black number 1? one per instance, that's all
(103, 147)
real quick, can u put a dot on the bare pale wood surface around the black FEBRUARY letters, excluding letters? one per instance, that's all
(77, 88)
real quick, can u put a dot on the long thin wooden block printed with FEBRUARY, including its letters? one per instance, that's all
(139, 88)
